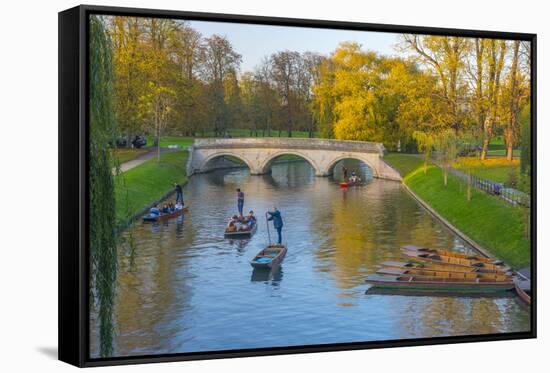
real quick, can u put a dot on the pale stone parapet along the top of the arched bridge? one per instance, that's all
(291, 143)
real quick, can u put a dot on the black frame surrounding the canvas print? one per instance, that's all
(73, 189)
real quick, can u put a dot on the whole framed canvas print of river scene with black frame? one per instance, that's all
(235, 186)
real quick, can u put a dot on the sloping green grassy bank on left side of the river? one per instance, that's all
(146, 183)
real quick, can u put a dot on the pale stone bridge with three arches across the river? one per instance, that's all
(259, 153)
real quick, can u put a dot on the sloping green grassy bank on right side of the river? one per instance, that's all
(491, 222)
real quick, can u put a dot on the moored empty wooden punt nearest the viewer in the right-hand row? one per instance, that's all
(437, 284)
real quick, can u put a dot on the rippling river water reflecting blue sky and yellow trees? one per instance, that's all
(182, 287)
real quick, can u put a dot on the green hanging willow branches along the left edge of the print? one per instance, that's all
(103, 243)
